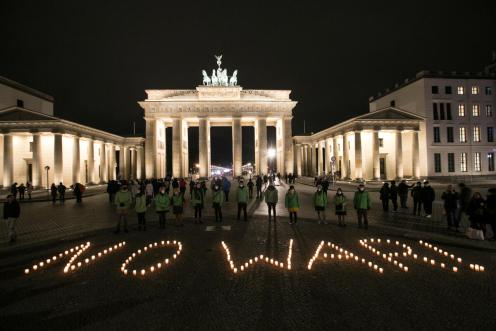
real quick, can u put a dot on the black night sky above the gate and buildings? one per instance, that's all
(97, 58)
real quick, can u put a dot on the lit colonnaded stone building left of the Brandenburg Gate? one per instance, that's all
(39, 148)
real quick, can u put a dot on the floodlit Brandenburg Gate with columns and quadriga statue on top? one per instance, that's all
(220, 101)
